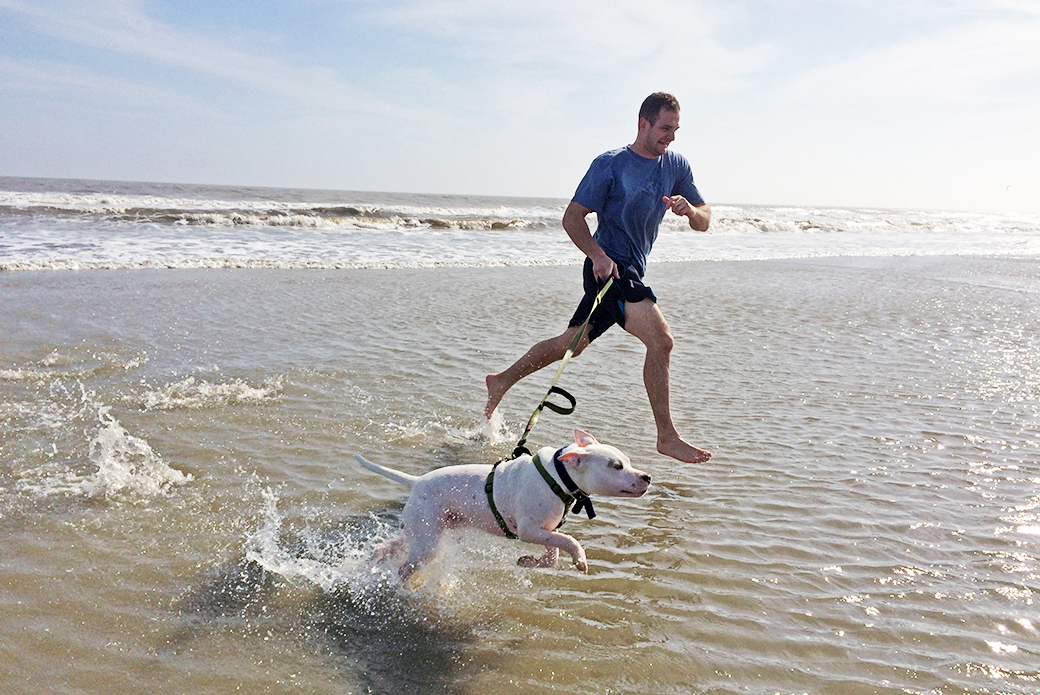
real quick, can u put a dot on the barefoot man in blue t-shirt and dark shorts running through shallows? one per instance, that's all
(631, 190)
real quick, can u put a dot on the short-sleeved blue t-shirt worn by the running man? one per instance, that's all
(626, 191)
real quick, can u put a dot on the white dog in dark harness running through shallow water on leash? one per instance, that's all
(527, 498)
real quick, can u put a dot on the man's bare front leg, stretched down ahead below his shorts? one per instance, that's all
(645, 321)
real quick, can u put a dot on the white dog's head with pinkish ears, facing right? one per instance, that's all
(602, 470)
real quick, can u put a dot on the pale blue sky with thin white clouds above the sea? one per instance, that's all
(926, 105)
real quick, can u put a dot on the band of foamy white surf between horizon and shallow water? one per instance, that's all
(146, 226)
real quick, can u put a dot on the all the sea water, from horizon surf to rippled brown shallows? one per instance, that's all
(187, 373)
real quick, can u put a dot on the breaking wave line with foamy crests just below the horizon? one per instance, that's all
(480, 216)
